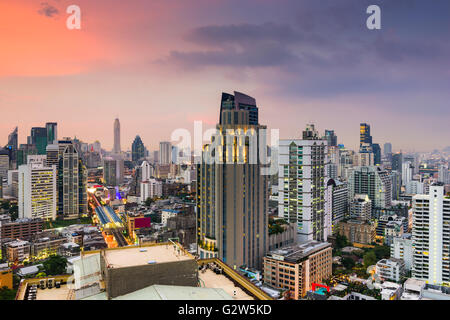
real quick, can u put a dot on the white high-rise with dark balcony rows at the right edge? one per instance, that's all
(430, 236)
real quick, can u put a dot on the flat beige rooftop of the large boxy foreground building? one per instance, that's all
(137, 256)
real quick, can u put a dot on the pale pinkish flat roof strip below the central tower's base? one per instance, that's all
(209, 279)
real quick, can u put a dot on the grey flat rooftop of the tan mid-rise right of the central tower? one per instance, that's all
(299, 251)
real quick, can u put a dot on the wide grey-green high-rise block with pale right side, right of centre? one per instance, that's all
(373, 182)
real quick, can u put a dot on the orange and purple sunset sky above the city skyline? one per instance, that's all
(158, 65)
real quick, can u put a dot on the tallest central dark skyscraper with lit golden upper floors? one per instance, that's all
(232, 194)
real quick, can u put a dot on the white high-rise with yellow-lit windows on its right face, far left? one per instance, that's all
(37, 189)
